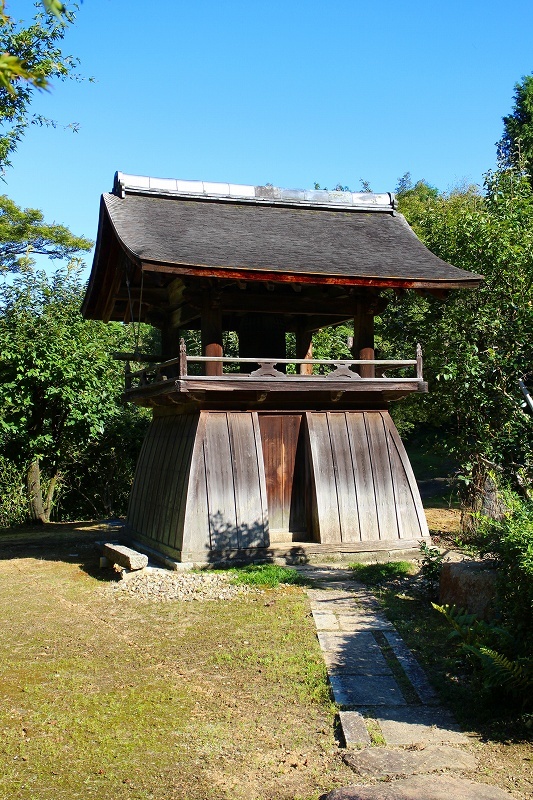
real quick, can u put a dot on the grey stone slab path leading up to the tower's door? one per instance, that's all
(385, 699)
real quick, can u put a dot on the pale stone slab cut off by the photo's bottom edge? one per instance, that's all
(422, 787)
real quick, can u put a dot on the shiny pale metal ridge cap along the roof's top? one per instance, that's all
(261, 195)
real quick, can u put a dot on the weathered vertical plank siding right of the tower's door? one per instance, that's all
(363, 485)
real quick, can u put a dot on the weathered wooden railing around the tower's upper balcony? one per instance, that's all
(341, 369)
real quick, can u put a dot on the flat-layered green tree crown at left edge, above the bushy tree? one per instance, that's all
(24, 233)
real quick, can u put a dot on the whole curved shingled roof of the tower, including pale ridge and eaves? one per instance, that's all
(256, 233)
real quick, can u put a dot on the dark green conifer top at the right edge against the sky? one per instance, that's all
(515, 148)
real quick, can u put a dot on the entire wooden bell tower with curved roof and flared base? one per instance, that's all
(261, 454)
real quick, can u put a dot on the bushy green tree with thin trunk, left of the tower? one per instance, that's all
(60, 384)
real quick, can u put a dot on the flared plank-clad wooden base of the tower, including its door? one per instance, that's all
(207, 483)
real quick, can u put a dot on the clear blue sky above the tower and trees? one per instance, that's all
(283, 92)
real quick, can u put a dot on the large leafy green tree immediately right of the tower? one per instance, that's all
(477, 344)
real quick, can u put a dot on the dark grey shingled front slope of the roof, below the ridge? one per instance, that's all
(185, 231)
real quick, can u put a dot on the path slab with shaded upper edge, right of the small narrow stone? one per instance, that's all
(416, 725)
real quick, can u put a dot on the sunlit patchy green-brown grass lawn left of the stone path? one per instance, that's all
(108, 696)
